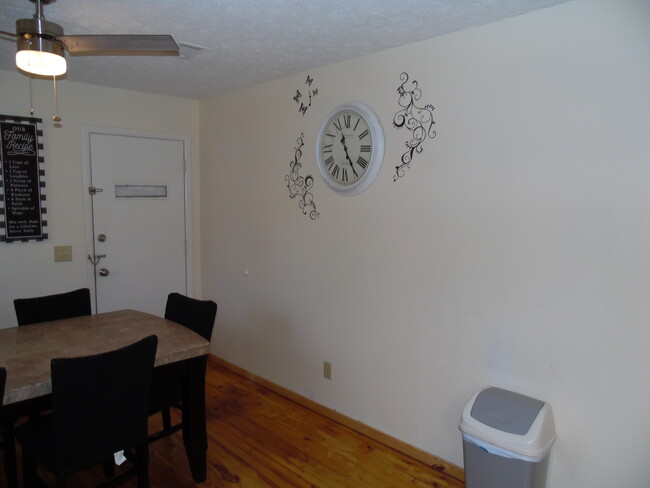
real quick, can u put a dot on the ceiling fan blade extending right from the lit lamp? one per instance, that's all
(120, 45)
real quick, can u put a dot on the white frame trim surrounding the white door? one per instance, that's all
(86, 132)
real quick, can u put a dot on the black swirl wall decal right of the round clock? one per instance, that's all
(419, 120)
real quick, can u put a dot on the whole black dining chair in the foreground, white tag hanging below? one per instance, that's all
(100, 406)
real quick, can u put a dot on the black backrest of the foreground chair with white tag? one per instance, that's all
(100, 403)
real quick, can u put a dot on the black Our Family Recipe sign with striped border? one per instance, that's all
(22, 180)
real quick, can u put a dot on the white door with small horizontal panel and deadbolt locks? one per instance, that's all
(138, 251)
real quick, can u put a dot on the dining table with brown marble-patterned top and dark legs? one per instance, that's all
(26, 353)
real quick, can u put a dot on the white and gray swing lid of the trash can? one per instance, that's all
(509, 420)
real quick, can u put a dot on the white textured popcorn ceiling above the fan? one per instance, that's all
(248, 41)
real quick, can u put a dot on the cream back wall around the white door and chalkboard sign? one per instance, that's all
(28, 269)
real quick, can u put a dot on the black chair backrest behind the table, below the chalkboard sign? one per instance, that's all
(53, 307)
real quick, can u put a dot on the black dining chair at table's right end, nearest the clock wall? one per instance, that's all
(198, 316)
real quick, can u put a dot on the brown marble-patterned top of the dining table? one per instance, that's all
(26, 351)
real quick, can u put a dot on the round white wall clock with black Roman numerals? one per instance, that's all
(350, 148)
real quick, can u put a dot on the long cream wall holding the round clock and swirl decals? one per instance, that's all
(514, 252)
